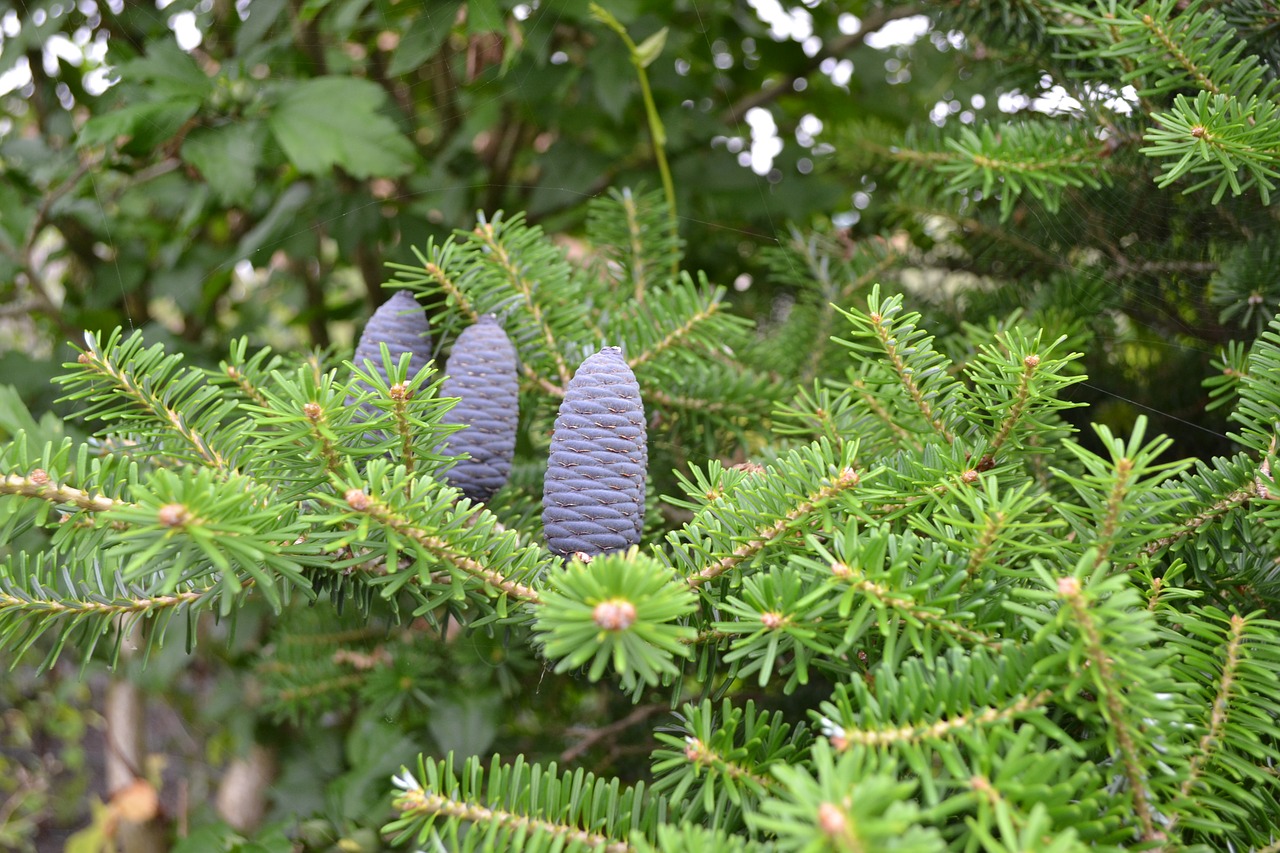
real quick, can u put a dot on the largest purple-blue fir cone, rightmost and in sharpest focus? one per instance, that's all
(593, 496)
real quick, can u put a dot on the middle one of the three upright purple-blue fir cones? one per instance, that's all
(482, 372)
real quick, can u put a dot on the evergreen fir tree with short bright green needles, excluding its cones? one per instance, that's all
(886, 596)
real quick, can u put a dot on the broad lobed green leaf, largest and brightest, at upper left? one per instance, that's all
(335, 122)
